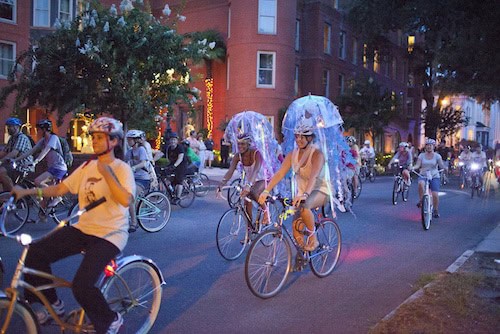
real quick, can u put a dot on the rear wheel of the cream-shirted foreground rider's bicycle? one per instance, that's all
(134, 291)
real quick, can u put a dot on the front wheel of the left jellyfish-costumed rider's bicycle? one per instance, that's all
(232, 234)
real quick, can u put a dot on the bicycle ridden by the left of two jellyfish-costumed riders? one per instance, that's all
(236, 229)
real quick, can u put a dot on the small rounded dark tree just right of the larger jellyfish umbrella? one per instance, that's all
(365, 108)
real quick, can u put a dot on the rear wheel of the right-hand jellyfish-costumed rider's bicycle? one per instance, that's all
(324, 259)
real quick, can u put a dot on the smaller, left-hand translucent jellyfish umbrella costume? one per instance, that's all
(263, 140)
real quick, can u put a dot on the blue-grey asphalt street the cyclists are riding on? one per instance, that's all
(385, 251)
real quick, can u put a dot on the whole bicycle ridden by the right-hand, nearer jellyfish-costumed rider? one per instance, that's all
(269, 259)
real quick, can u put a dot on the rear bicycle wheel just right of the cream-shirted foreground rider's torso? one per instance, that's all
(153, 211)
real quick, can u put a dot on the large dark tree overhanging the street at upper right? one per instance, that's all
(458, 53)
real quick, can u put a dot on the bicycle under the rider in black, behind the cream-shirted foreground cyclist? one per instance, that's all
(165, 177)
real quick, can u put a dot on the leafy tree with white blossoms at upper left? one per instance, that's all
(126, 64)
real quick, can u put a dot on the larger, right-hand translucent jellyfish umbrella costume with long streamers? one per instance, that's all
(324, 117)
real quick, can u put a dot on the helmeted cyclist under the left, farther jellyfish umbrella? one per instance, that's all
(255, 182)
